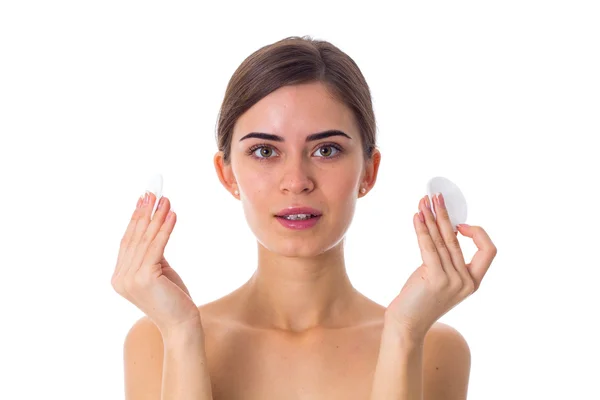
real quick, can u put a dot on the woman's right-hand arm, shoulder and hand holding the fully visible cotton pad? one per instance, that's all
(420, 359)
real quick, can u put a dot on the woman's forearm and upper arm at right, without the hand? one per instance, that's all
(434, 368)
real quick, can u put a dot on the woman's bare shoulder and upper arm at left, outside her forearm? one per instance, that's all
(143, 358)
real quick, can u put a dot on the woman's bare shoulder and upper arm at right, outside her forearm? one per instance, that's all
(446, 363)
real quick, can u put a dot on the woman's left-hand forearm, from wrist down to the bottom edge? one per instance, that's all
(185, 369)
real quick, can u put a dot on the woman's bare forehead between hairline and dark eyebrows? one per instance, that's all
(297, 111)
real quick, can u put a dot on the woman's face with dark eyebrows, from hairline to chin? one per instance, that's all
(271, 175)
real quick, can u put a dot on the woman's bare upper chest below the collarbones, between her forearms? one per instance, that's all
(246, 364)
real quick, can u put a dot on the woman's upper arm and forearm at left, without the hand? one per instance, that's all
(172, 367)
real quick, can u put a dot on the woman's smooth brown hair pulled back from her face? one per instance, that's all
(296, 60)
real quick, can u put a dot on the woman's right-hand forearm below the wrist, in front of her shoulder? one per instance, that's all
(399, 370)
